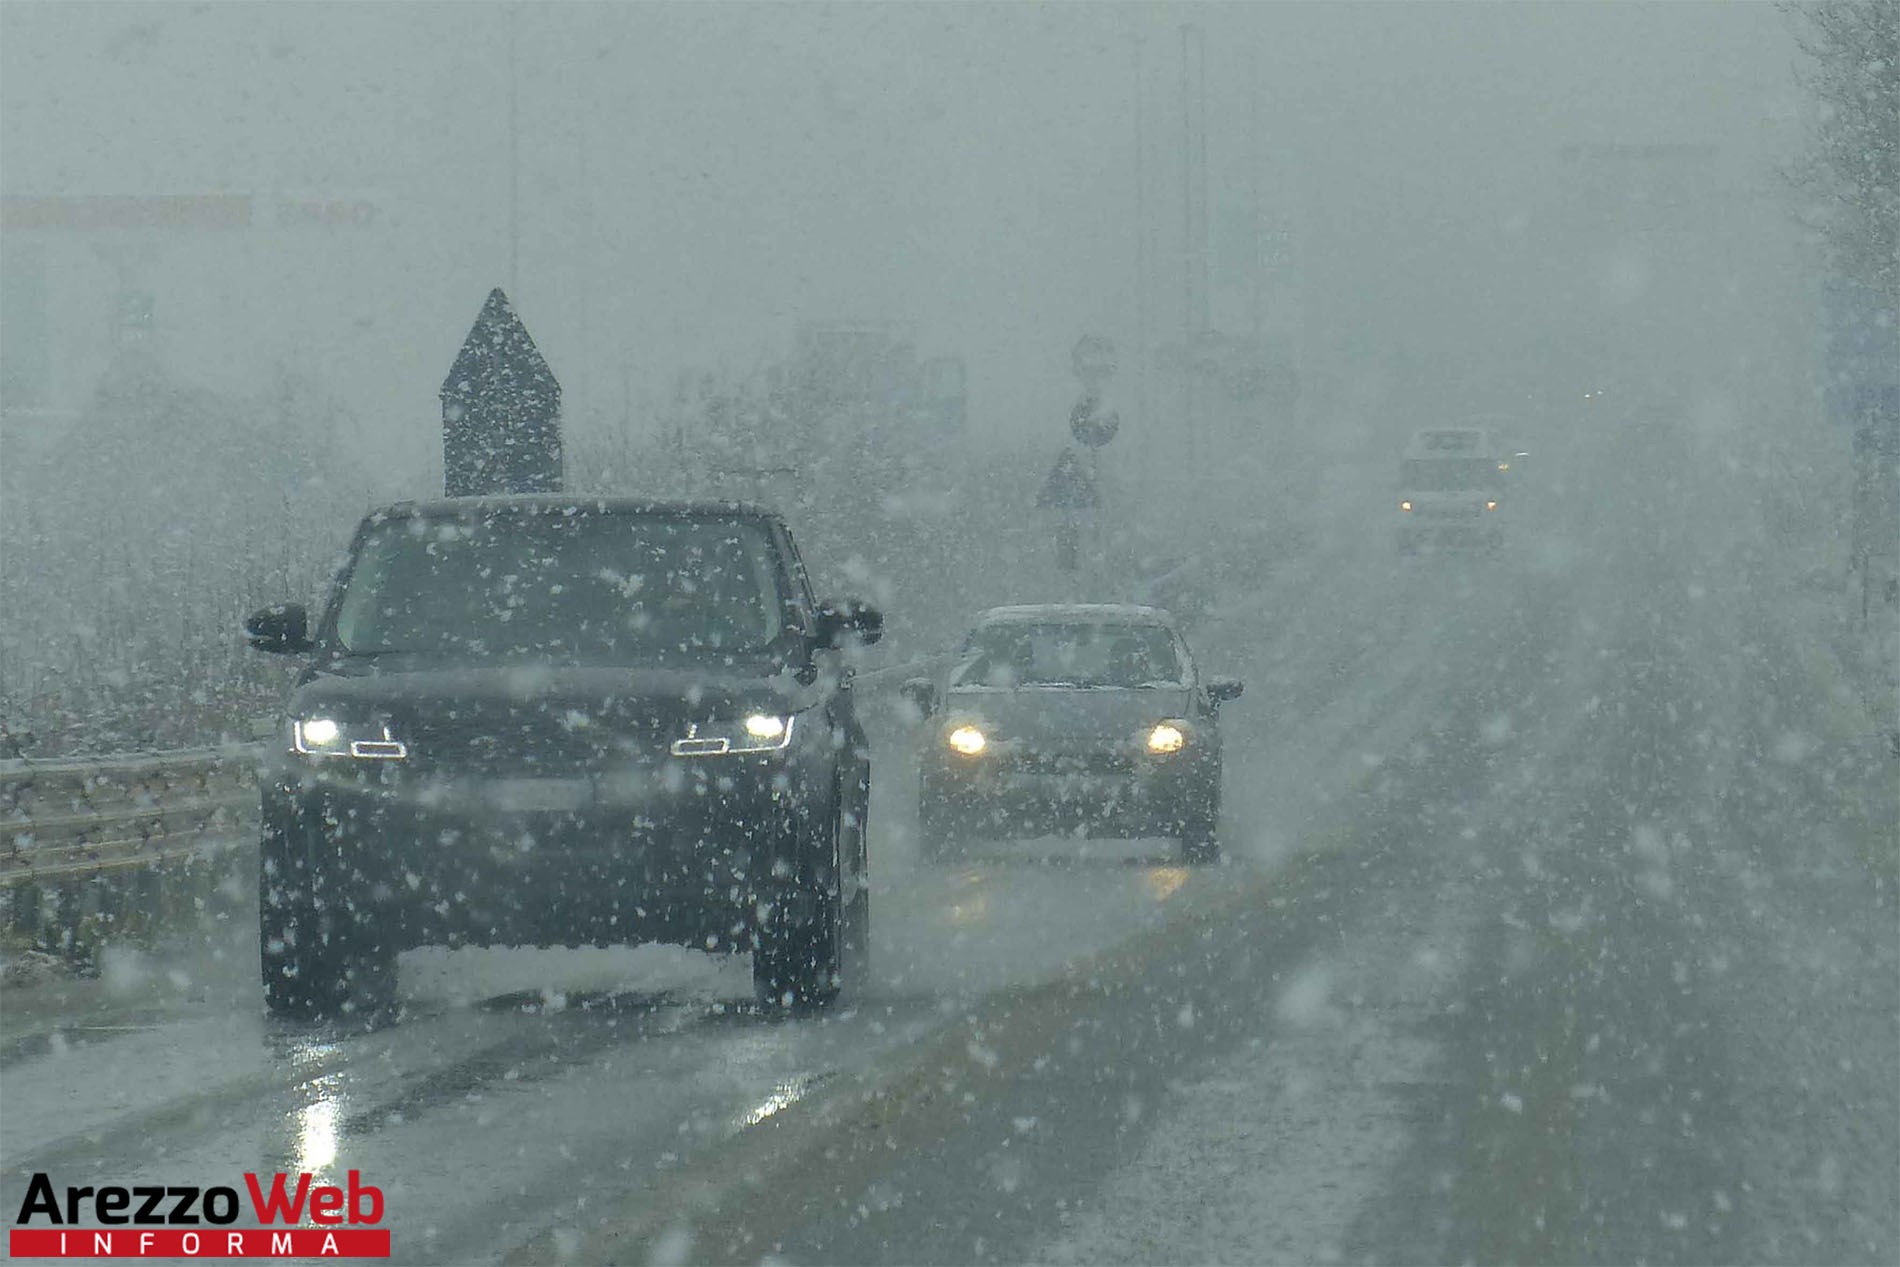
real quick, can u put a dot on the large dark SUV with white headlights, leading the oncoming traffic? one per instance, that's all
(558, 721)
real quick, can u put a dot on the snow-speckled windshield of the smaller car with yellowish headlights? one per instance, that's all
(1021, 654)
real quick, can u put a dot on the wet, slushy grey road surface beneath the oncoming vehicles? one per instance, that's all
(1544, 937)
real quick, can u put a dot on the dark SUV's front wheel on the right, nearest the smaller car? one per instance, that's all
(799, 960)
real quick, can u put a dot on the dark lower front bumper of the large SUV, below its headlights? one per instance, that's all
(683, 852)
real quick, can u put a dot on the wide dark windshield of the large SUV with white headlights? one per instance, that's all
(603, 590)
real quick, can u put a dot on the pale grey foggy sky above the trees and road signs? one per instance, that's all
(698, 180)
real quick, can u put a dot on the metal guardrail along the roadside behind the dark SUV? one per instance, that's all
(73, 820)
